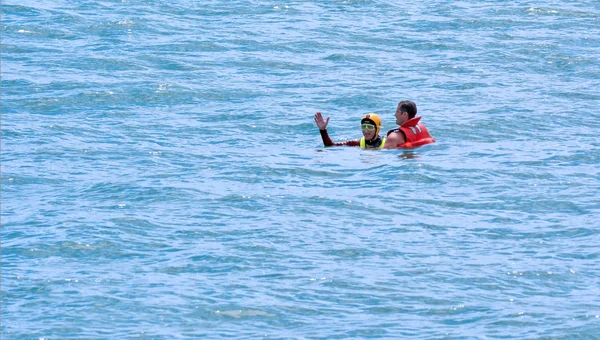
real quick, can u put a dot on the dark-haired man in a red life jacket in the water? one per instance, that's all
(411, 132)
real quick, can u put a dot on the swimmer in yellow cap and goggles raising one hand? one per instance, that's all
(370, 125)
